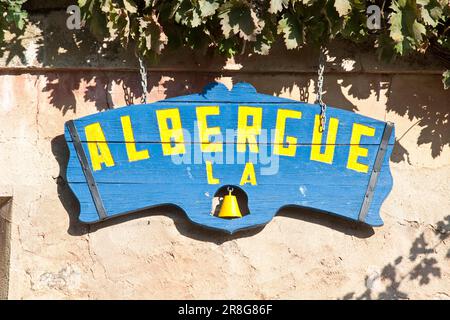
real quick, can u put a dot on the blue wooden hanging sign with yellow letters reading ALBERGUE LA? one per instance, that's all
(202, 152)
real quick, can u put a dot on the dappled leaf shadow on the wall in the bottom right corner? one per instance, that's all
(422, 255)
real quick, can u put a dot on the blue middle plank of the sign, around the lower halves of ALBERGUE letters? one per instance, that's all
(158, 166)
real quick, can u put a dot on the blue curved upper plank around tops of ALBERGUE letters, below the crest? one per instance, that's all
(145, 125)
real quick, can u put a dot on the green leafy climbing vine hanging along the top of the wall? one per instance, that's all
(237, 26)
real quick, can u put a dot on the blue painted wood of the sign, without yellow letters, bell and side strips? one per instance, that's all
(131, 186)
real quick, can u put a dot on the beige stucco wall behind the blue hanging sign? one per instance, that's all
(158, 253)
